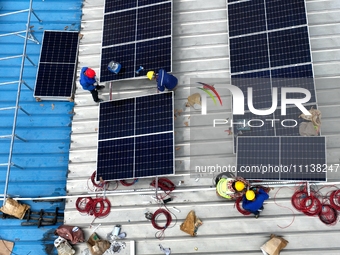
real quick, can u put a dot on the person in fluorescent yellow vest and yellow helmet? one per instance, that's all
(232, 188)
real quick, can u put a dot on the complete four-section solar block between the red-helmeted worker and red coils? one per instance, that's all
(166, 150)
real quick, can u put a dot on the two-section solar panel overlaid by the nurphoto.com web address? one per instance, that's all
(282, 158)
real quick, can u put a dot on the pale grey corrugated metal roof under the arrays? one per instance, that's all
(200, 50)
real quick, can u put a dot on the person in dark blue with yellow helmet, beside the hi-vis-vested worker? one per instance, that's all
(253, 202)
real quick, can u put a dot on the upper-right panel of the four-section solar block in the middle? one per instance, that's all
(150, 117)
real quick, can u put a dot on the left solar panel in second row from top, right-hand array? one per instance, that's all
(249, 53)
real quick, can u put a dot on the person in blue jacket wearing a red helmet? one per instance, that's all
(89, 82)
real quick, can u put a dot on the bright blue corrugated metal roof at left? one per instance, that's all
(45, 154)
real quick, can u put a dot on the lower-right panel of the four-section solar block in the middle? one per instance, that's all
(154, 155)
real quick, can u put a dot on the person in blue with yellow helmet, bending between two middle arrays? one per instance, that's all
(164, 80)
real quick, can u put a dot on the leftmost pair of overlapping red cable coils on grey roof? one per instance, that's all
(98, 207)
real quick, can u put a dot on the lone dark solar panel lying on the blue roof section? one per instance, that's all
(58, 59)
